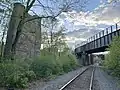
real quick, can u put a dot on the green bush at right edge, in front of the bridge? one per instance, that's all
(112, 60)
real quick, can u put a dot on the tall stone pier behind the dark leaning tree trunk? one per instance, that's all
(29, 42)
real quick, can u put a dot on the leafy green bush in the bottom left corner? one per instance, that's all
(13, 74)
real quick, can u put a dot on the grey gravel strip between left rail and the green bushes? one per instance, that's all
(59, 81)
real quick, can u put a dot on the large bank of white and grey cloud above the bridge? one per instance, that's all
(83, 25)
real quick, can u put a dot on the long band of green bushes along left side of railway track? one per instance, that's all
(18, 73)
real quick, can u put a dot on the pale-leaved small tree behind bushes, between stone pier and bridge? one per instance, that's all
(54, 41)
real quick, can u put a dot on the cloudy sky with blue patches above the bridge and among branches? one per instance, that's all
(95, 17)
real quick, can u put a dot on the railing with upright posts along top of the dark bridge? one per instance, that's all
(102, 33)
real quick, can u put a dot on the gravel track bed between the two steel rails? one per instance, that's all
(82, 82)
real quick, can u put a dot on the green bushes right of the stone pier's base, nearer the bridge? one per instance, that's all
(49, 65)
